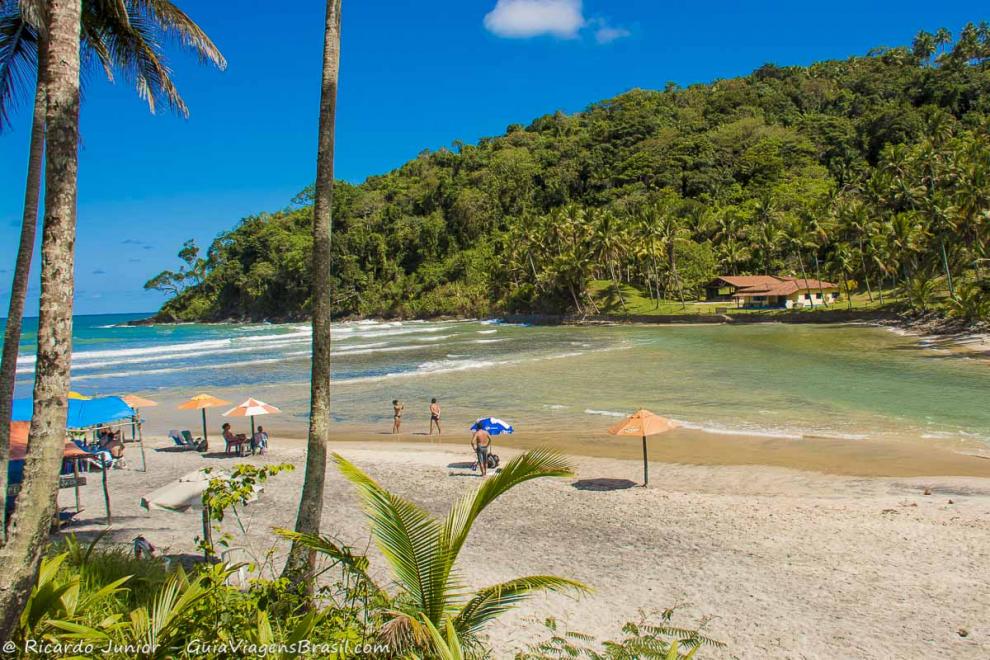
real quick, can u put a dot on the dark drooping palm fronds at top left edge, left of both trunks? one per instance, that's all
(18, 61)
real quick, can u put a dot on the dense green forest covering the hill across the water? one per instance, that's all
(873, 172)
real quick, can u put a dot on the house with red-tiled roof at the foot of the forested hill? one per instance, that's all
(771, 291)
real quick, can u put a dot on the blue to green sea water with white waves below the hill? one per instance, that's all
(842, 381)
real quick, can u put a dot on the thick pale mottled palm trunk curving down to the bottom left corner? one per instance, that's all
(29, 526)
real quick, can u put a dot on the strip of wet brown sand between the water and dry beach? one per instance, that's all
(867, 457)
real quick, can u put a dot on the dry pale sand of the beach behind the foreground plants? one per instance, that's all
(777, 563)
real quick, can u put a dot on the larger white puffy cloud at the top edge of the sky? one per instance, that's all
(521, 19)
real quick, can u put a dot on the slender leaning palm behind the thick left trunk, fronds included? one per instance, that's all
(124, 36)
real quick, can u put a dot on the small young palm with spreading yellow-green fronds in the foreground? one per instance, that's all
(422, 552)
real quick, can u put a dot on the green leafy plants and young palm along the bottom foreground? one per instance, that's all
(99, 599)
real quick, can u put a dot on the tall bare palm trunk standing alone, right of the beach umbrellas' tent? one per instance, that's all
(301, 563)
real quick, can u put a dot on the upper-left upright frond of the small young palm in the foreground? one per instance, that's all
(408, 537)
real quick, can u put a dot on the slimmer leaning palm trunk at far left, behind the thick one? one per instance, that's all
(22, 272)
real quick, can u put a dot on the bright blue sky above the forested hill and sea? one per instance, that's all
(414, 75)
